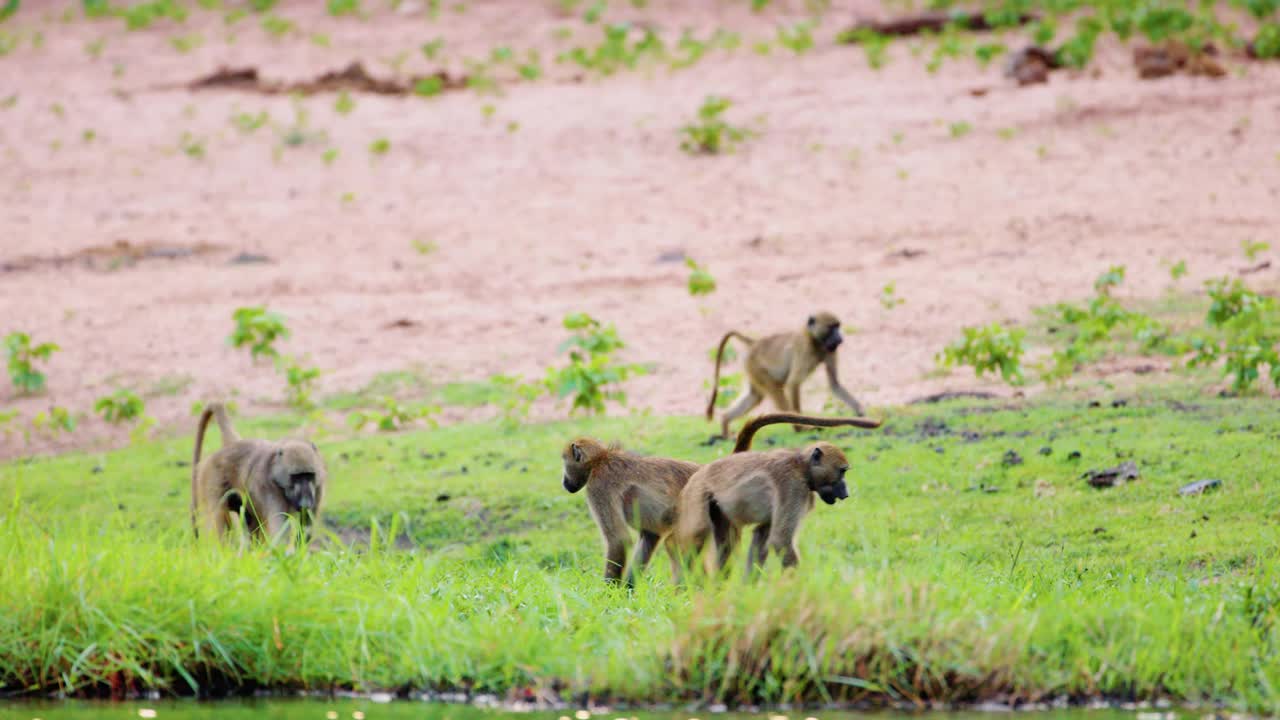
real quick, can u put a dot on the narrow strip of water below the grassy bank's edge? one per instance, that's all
(406, 710)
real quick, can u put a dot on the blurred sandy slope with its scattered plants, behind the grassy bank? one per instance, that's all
(392, 207)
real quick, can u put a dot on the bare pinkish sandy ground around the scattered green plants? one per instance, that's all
(854, 183)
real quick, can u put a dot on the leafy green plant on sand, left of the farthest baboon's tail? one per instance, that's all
(592, 376)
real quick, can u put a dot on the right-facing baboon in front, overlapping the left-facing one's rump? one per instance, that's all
(772, 491)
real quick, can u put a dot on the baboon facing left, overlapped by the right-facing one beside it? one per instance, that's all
(643, 493)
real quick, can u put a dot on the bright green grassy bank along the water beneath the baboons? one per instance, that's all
(972, 562)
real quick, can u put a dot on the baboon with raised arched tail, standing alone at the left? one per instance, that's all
(269, 481)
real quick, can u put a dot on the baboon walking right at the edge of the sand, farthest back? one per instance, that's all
(779, 364)
